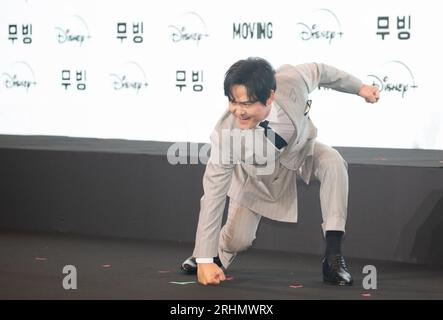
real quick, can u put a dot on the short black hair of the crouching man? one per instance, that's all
(256, 74)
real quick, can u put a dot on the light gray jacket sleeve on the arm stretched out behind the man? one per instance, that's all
(322, 75)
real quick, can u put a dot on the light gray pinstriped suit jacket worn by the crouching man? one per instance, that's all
(272, 195)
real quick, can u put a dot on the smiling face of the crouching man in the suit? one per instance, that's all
(248, 113)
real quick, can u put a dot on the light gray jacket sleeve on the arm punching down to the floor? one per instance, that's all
(216, 182)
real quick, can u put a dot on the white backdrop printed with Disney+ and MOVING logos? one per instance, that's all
(131, 85)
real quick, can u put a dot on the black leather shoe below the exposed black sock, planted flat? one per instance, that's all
(335, 271)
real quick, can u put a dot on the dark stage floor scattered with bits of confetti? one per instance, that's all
(31, 267)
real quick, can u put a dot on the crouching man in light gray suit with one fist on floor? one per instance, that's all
(270, 109)
